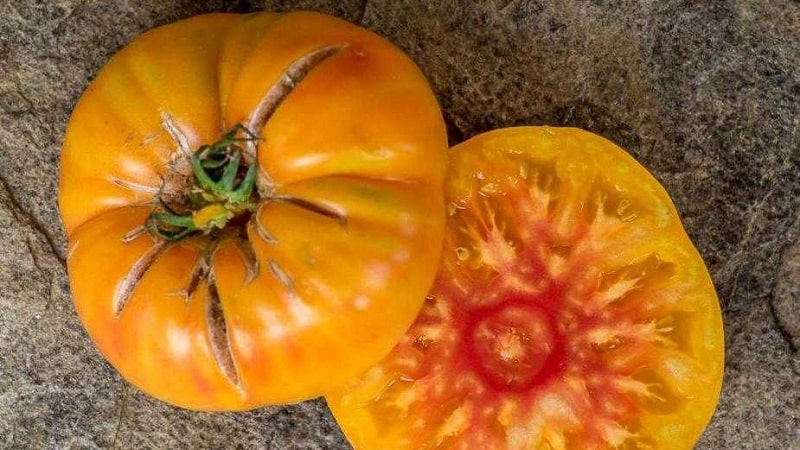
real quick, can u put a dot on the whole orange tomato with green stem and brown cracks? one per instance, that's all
(254, 206)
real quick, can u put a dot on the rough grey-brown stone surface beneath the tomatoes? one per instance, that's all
(706, 94)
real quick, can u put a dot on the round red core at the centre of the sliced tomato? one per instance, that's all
(514, 345)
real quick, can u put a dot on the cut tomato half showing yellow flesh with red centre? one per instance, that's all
(570, 311)
